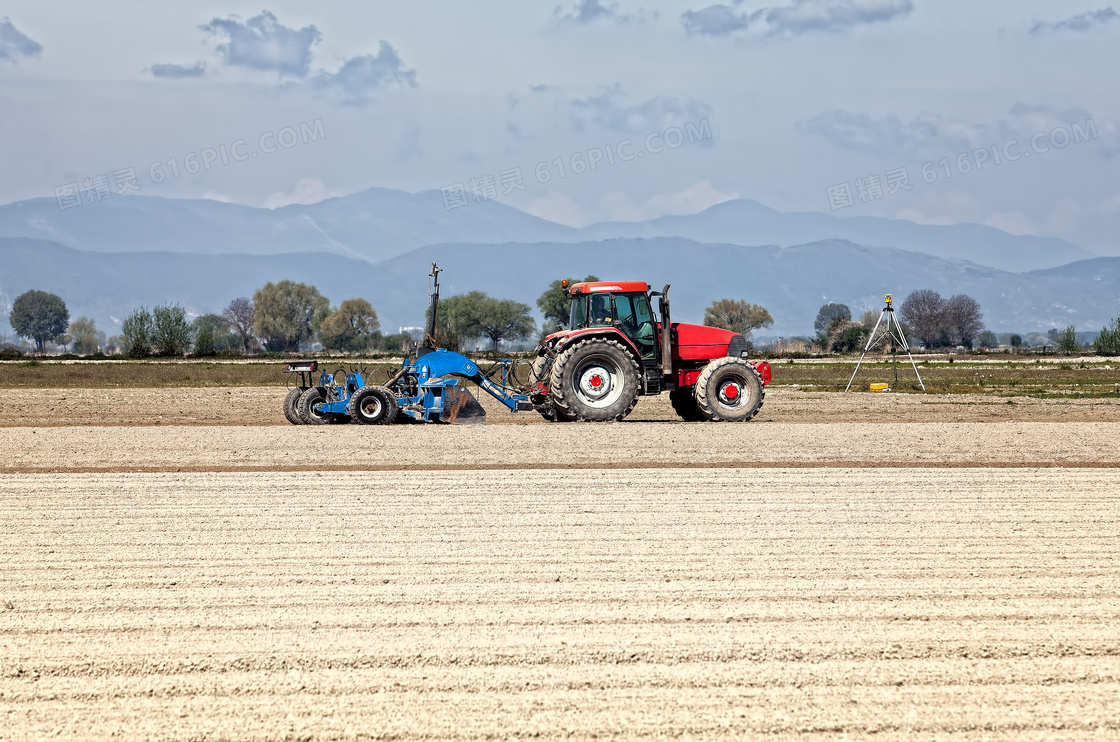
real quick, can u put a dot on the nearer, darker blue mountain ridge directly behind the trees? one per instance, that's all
(792, 283)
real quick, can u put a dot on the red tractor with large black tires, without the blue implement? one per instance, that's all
(617, 351)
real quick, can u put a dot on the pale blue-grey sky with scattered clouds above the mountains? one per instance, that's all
(782, 101)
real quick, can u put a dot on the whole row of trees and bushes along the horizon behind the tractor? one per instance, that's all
(286, 317)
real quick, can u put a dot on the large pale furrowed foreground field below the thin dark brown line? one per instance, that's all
(578, 605)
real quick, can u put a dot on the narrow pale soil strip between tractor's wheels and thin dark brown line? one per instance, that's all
(573, 446)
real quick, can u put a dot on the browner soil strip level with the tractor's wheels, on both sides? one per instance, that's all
(248, 406)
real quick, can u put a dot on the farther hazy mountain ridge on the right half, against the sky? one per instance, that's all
(749, 222)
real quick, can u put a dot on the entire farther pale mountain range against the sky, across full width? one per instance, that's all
(379, 225)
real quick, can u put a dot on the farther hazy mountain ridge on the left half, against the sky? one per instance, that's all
(372, 225)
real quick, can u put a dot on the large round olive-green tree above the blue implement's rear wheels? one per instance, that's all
(287, 314)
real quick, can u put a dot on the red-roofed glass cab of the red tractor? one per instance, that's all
(623, 305)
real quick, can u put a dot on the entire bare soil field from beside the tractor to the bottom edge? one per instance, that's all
(182, 564)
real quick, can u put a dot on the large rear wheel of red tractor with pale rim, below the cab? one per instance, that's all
(595, 381)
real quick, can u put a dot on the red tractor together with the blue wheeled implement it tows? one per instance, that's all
(614, 351)
